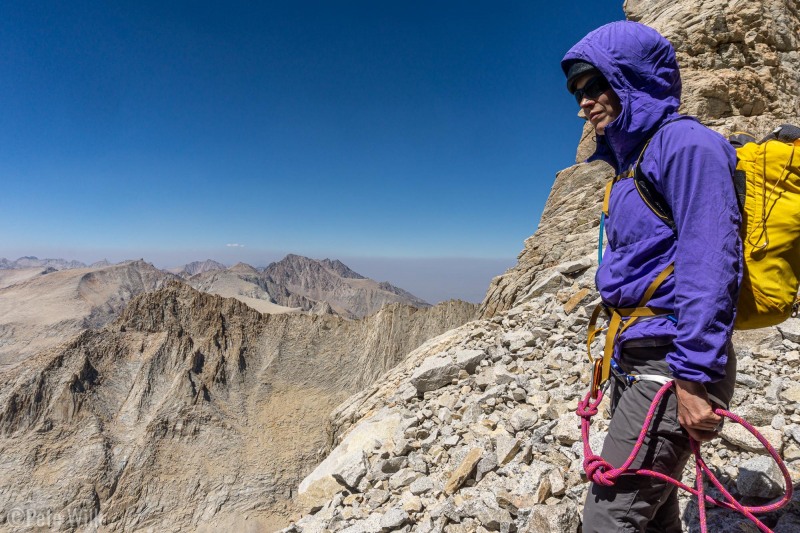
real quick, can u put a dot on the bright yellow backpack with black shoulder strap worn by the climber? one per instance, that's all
(767, 182)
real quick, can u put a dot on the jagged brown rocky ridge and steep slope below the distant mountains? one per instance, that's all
(190, 410)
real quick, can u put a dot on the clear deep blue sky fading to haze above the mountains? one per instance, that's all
(415, 140)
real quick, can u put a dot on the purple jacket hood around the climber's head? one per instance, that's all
(640, 65)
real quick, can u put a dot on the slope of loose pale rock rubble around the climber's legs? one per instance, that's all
(484, 437)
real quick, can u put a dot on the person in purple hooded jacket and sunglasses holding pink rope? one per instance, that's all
(626, 80)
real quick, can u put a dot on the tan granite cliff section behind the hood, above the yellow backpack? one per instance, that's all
(740, 61)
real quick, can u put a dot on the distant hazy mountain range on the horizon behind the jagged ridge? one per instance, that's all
(44, 301)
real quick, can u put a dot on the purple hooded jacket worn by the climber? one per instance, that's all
(692, 167)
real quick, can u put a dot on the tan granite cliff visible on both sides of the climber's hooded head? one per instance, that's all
(740, 68)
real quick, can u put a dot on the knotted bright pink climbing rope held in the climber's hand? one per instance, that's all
(600, 471)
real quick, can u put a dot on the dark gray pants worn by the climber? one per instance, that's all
(636, 503)
